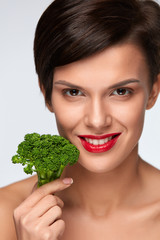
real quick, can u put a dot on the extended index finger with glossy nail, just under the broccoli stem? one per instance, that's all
(49, 188)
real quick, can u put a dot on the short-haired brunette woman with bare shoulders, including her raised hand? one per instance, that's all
(98, 64)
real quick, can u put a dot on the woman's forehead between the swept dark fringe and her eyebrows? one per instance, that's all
(114, 63)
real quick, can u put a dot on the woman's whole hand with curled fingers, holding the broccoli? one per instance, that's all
(39, 216)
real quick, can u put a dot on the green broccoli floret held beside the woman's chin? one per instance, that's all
(45, 154)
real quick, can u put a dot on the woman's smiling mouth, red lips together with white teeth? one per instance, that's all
(99, 144)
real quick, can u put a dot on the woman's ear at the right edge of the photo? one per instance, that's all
(154, 93)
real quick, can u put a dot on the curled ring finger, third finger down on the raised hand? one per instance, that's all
(52, 215)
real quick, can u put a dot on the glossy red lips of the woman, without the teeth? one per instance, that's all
(102, 147)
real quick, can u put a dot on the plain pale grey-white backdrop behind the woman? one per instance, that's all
(22, 108)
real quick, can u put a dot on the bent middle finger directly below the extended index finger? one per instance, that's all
(45, 204)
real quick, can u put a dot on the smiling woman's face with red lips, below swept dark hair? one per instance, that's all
(99, 105)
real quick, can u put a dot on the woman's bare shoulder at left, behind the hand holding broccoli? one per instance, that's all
(11, 197)
